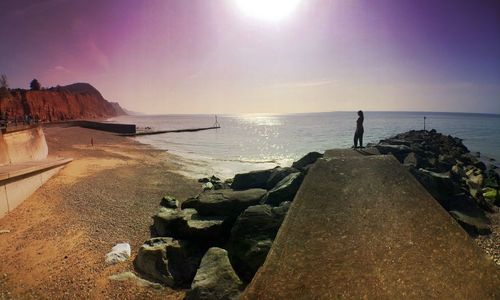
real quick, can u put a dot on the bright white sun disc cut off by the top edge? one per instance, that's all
(268, 10)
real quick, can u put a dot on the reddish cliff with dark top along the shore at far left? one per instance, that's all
(75, 101)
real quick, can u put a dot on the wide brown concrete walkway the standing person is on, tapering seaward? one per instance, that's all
(361, 227)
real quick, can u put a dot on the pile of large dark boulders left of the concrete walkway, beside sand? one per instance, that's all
(214, 243)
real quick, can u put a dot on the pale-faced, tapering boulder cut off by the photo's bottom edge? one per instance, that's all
(215, 279)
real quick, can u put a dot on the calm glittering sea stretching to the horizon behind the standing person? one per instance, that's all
(246, 142)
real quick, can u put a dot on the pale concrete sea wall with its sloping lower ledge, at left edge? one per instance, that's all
(24, 166)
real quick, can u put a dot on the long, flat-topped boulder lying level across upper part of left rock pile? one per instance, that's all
(224, 202)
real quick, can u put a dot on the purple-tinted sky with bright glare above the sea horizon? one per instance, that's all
(219, 56)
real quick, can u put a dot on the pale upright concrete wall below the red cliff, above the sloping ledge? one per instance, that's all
(22, 146)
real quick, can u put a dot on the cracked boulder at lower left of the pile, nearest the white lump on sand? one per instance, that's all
(173, 262)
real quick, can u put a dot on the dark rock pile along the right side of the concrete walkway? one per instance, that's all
(463, 184)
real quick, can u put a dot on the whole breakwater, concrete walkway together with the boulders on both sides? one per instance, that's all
(349, 223)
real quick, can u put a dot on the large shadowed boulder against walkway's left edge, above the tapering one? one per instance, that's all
(252, 237)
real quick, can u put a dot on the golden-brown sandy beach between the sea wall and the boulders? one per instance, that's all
(59, 236)
